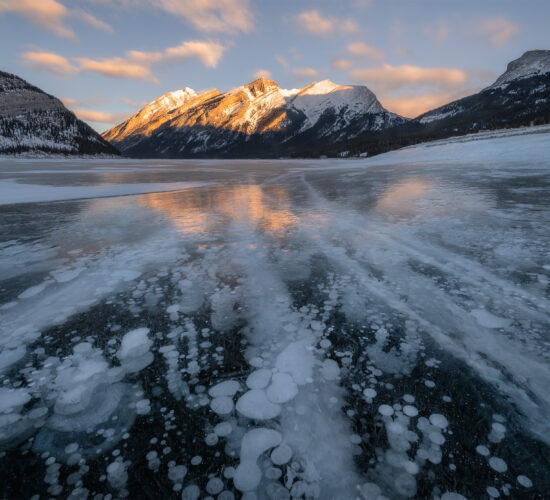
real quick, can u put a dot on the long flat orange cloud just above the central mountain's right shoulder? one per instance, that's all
(394, 77)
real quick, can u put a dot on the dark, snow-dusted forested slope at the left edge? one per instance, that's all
(32, 121)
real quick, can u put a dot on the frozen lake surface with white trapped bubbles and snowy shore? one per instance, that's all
(352, 329)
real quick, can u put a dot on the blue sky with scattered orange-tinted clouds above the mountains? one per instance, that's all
(107, 58)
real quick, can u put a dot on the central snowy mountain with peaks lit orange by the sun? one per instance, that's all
(257, 119)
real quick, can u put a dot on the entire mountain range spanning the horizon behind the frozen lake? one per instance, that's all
(261, 119)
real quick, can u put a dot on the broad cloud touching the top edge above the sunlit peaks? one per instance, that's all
(212, 16)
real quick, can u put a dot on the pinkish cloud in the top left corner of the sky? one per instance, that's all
(48, 14)
